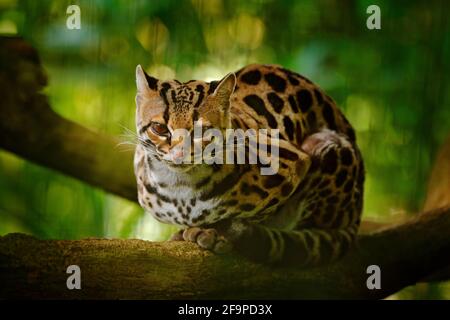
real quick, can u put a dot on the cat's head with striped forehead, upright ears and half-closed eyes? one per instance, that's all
(168, 112)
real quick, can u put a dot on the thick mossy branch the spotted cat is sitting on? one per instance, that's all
(136, 269)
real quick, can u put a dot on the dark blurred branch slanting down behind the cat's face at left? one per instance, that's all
(31, 129)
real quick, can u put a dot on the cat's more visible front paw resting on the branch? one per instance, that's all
(208, 239)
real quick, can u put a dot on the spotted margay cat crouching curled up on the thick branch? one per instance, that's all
(307, 213)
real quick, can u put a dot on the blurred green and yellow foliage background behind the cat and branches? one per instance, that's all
(391, 83)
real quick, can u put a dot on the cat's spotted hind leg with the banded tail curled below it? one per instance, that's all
(330, 200)
